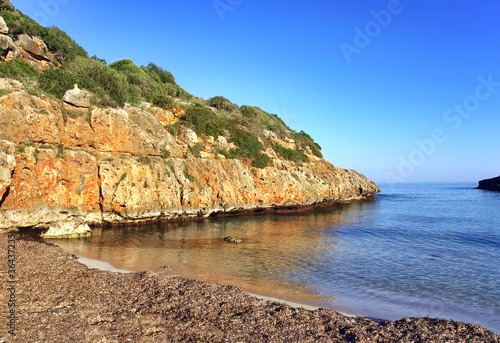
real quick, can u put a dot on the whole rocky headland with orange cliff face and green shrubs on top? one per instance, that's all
(72, 157)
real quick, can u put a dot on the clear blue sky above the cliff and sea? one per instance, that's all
(399, 90)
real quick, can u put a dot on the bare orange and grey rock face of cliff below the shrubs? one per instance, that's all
(59, 162)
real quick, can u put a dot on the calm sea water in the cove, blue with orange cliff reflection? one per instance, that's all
(414, 250)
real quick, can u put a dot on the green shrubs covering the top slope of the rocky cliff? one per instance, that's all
(251, 129)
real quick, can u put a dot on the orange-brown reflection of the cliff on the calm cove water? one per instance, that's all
(278, 252)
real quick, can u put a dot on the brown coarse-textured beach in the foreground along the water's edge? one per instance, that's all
(58, 299)
